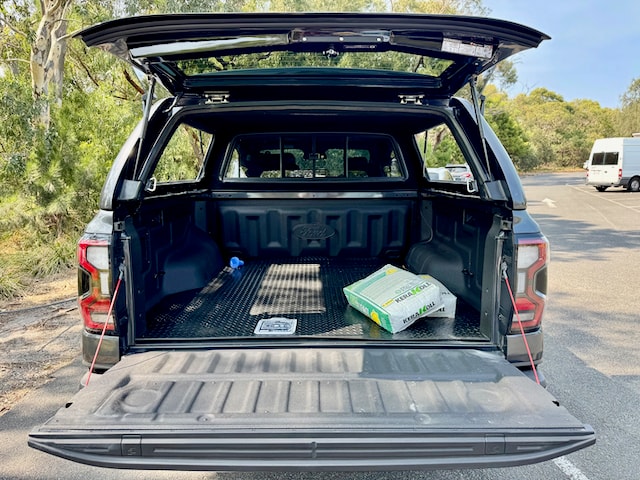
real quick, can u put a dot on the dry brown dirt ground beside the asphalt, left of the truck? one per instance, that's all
(39, 334)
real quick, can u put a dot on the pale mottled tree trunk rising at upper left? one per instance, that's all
(47, 55)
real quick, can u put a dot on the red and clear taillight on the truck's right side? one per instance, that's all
(531, 282)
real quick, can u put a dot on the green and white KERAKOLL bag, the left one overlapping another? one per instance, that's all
(394, 298)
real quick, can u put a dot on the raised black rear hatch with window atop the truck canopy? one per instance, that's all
(194, 52)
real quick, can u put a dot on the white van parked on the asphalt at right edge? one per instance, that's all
(615, 162)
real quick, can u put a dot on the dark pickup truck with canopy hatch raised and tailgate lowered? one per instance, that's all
(289, 160)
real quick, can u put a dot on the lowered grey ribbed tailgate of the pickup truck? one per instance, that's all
(312, 409)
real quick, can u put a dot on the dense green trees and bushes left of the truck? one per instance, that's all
(51, 176)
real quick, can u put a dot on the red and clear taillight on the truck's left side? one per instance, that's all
(94, 280)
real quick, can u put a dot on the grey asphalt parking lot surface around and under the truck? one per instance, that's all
(592, 360)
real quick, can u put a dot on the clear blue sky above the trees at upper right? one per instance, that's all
(594, 51)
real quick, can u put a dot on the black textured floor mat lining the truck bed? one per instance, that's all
(308, 289)
